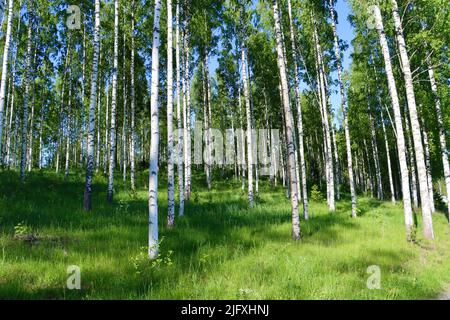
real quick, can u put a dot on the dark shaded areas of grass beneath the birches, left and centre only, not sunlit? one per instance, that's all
(223, 223)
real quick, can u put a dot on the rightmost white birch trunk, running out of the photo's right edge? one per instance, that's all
(442, 139)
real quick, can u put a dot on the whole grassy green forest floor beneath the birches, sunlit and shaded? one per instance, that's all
(220, 249)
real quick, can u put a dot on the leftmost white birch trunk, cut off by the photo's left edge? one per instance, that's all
(5, 70)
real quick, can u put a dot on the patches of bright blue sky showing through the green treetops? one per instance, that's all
(345, 32)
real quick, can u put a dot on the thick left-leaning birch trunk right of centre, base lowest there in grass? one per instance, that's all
(289, 123)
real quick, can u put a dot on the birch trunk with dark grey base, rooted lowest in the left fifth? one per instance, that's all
(90, 155)
